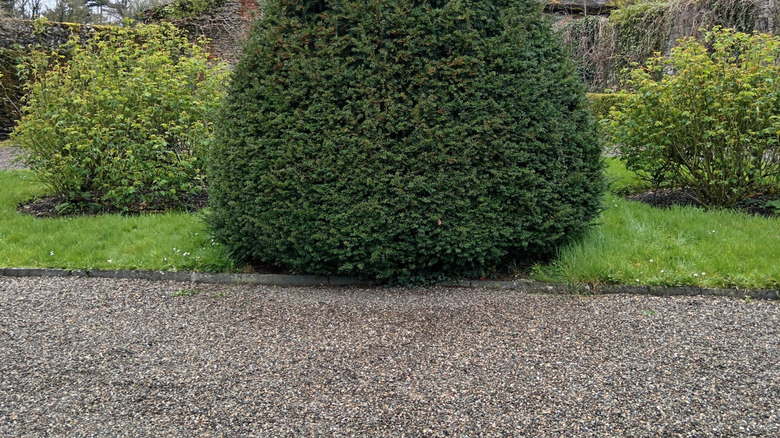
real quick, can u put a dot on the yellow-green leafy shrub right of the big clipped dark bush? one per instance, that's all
(706, 118)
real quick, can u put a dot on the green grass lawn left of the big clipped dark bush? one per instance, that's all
(175, 241)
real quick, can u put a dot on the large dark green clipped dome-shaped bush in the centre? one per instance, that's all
(400, 140)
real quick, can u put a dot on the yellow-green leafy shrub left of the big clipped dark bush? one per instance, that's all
(123, 121)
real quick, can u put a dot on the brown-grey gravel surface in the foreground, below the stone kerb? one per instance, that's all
(101, 357)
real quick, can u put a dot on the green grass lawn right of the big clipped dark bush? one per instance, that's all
(638, 244)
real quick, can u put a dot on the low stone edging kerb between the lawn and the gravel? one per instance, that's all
(311, 280)
